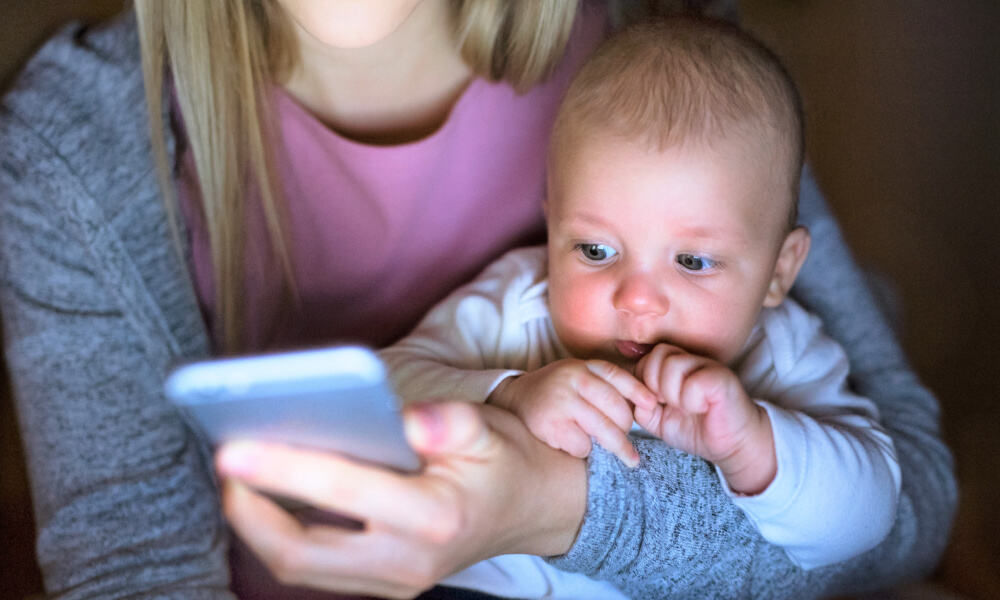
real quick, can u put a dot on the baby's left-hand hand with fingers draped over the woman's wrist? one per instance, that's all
(567, 402)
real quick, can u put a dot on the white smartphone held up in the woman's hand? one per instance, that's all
(332, 399)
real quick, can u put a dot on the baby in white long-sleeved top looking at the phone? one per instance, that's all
(661, 298)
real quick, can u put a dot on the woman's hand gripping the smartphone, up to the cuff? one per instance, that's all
(488, 488)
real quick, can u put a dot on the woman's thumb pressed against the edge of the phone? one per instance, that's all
(436, 428)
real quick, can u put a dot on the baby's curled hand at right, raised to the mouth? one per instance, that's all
(703, 409)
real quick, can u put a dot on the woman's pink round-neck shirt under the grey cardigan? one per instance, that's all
(379, 234)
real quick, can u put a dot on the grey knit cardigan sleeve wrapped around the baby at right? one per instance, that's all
(667, 529)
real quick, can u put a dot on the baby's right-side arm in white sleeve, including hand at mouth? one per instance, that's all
(829, 447)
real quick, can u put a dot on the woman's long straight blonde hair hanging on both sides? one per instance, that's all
(223, 55)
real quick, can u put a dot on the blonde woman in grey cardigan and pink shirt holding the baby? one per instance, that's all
(262, 100)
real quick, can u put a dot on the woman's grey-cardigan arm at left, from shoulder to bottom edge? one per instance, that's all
(124, 501)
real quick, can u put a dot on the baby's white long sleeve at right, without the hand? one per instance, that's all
(838, 480)
